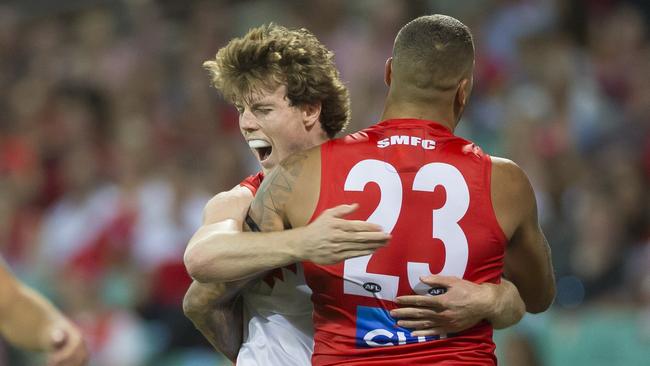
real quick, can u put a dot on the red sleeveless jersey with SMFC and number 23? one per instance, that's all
(431, 190)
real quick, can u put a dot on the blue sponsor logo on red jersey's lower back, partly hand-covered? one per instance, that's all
(376, 328)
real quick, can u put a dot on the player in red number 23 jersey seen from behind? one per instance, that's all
(450, 208)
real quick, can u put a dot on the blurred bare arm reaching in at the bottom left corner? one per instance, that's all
(29, 321)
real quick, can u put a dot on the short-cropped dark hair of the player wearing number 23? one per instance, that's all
(433, 51)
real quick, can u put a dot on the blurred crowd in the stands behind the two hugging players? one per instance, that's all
(111, 141)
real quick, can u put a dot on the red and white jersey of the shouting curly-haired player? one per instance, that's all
(277, 314)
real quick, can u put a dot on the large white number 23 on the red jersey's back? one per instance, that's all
(358, 281)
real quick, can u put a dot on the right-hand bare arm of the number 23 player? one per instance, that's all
(527, 260)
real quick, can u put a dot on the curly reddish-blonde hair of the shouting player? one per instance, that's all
(271, 55)
